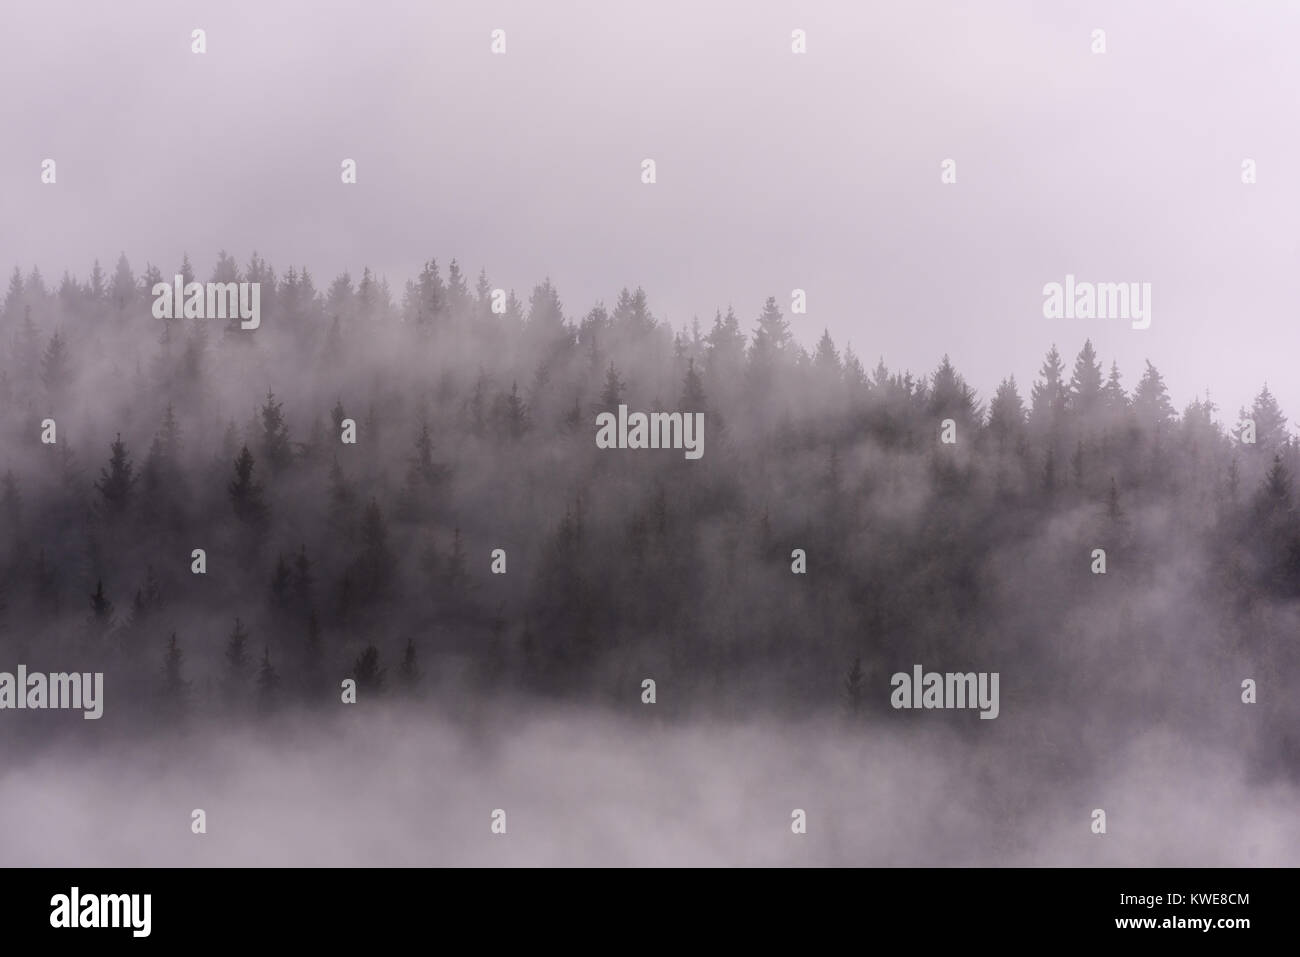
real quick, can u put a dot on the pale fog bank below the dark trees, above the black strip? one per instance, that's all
(404, 789)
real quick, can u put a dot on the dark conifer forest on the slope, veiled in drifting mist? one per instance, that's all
(474, 543)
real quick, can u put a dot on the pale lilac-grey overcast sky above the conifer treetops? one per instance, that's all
(774, 171)
